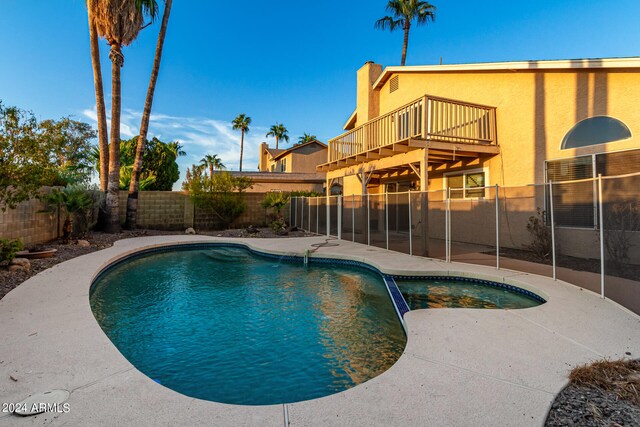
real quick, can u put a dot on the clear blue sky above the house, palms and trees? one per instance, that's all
(287, 61)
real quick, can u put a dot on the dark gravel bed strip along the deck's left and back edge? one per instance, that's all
(10, 280)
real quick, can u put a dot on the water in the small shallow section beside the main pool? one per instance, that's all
(453, 293)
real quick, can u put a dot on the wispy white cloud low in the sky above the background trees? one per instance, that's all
(198, 136)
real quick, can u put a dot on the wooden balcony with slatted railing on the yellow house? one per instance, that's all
(428, 122)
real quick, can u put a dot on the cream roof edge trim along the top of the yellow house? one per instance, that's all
(565, 64)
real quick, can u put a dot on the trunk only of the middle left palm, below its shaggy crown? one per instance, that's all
(113, 187)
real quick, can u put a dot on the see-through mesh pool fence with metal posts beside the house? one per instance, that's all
(585, 232)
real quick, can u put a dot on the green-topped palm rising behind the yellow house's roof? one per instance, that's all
(404, 12)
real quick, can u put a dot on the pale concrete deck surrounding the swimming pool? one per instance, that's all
(460, 366)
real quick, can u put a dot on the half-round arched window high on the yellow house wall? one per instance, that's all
(595, 130)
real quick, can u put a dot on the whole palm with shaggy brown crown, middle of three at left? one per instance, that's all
(119, 22)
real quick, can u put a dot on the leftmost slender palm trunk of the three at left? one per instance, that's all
(101, 113)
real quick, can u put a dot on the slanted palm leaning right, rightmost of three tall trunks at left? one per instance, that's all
(132, 198)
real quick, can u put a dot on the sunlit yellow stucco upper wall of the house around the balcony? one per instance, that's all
(534, 110)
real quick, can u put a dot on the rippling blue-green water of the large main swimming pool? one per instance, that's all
(224, 325)
